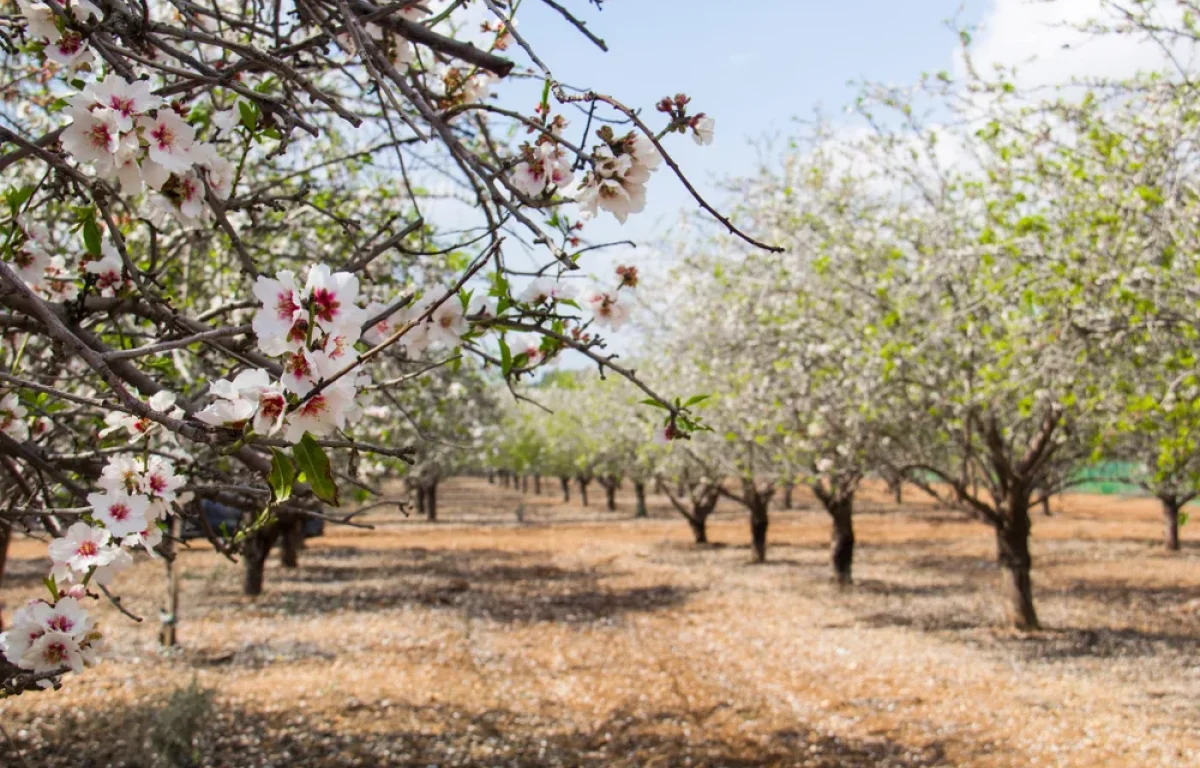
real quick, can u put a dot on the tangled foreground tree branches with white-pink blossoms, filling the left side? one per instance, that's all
(181, 182)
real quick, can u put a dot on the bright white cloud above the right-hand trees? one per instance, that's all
(1041, 38)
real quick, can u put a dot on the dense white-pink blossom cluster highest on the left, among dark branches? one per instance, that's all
(133, 137)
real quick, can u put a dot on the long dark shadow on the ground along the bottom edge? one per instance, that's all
(401, 736)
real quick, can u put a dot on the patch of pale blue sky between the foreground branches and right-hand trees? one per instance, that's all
(754, 69)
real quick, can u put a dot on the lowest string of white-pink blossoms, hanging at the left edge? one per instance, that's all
(56, 635)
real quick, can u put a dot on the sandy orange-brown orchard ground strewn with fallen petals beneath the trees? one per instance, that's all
(584, 638)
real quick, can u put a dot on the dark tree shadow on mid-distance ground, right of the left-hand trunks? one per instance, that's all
(494, 585)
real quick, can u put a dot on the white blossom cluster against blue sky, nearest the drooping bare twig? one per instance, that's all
(620, 172)
